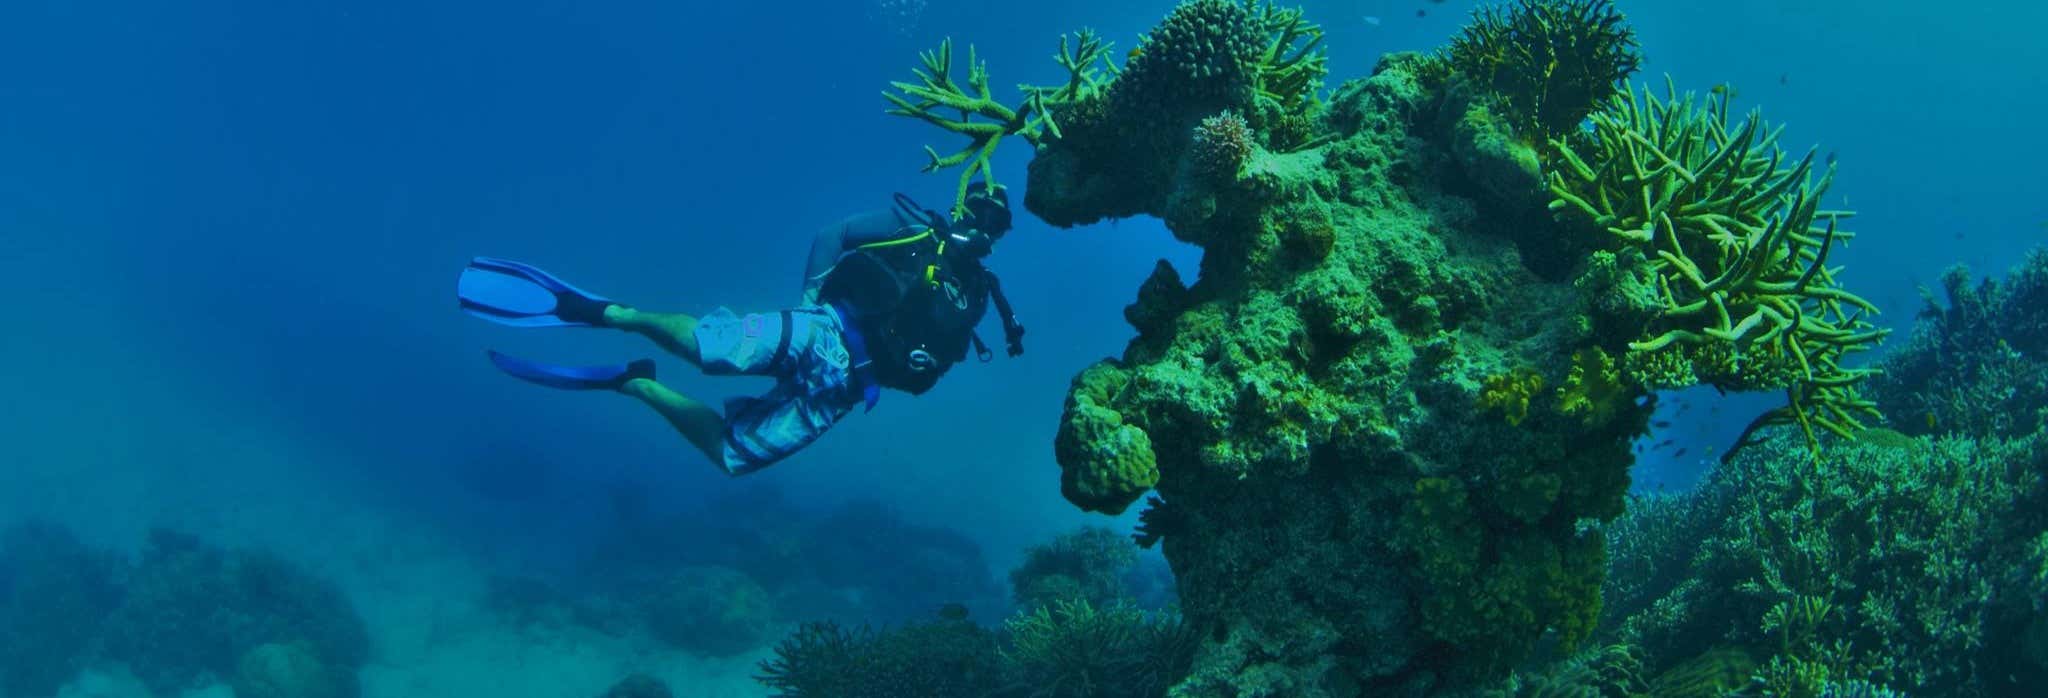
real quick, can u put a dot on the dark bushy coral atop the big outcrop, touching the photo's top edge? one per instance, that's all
(1545, 62)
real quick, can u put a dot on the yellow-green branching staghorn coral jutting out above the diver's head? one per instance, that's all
(935, 95)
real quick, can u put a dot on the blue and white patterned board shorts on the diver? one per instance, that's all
(806, 351)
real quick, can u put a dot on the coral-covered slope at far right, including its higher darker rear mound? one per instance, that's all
(1883, 568)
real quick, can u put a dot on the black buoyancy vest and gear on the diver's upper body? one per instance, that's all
(919, 296)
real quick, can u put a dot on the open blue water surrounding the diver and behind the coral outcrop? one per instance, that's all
(230, 232)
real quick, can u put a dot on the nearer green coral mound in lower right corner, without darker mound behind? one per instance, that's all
(1891, 564)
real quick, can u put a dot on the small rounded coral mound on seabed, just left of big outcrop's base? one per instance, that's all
(1089, 566)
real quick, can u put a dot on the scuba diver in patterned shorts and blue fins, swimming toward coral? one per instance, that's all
(890, 300)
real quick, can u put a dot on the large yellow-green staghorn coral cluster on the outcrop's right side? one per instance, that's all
(1740, 251)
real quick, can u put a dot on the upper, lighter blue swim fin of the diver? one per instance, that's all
(521, 296)
